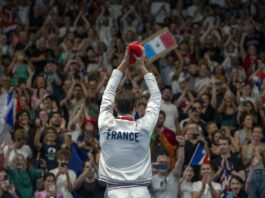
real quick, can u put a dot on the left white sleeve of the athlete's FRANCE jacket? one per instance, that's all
(108, 98)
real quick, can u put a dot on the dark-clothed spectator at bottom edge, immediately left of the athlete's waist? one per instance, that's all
(87, 184)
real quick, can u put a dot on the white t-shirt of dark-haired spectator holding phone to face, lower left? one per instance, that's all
(61, 182)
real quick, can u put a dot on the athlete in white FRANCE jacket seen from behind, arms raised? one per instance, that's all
(125, 160)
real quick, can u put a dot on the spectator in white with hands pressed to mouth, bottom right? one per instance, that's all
(206, 187)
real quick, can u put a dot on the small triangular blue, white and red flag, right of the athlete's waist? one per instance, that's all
(200, 156)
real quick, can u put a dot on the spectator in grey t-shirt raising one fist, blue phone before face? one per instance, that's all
(165, 181)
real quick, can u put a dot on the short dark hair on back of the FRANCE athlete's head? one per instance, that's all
(125, 101)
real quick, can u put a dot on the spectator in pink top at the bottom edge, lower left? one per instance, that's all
(49, 188)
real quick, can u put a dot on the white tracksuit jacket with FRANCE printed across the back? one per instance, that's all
(125, 155)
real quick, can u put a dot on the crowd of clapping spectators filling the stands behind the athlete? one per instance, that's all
(58, 55)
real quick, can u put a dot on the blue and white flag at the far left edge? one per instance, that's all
(7, 104)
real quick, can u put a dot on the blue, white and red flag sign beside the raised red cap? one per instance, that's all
(159, 44)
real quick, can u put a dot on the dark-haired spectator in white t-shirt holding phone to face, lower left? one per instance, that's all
(65, 178)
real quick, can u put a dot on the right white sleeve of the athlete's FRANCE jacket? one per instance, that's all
(153, 106)
